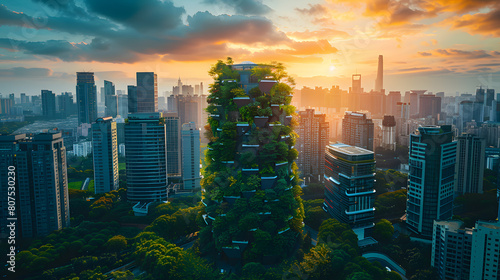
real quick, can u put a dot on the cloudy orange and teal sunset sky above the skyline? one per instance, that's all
(439, 45)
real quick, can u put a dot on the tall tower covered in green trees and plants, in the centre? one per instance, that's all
(251, 191)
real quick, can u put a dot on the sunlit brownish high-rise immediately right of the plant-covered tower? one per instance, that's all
(313, 134)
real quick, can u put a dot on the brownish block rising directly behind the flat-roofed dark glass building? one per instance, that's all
(357, 130)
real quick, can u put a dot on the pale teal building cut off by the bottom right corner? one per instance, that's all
(485, 257)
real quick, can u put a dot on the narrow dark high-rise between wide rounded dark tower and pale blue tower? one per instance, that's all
(174, 153)
